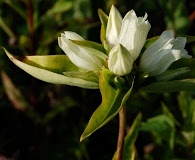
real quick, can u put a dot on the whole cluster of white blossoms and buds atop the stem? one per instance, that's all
(124, 40)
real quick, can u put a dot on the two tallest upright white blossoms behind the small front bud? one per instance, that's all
(131, 31)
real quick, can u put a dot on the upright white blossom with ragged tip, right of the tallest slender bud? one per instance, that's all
(134, 32)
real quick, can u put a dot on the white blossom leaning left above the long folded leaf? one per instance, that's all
(84, 57)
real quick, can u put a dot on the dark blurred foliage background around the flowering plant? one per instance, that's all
(41, 121)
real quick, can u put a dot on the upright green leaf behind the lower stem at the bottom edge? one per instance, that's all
(129, 148)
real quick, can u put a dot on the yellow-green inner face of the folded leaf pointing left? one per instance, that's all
(60, 64)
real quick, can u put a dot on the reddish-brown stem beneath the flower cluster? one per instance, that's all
(121, 134)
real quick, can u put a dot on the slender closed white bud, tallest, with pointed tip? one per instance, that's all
(113, 27)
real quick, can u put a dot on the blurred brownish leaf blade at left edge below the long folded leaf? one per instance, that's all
(13, 93)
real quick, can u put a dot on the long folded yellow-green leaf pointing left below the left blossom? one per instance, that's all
(50, 69)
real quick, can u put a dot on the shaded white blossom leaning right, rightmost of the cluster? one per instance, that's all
(162, 53)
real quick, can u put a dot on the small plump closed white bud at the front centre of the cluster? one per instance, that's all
(120, 62)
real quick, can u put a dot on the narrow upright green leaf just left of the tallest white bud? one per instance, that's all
(104, 19)
